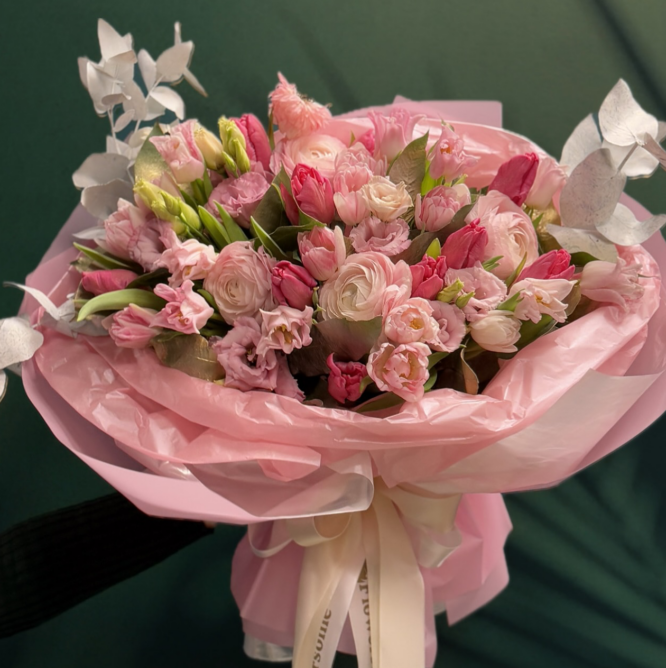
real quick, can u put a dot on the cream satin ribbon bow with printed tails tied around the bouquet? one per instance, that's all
(366, 565)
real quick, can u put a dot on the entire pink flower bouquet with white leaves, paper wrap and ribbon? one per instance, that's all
(351, 333)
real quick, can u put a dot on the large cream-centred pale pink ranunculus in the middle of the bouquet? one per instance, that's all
(365, 283)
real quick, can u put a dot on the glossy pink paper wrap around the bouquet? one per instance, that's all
(181, 447)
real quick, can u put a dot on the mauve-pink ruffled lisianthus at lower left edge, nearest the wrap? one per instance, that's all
(244, 368)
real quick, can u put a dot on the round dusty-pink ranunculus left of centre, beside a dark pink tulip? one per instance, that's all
(240, 281)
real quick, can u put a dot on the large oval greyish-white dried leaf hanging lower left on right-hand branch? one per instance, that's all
(591, 192)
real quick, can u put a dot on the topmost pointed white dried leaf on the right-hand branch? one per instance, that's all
(622, 120)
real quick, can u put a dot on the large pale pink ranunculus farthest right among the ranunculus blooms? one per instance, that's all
(511, 233)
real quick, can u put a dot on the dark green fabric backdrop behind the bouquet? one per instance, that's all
(588, 560)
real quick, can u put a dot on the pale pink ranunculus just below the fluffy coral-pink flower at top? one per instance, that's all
(316, 150)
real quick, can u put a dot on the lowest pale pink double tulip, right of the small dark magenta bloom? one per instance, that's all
(402, 370)
